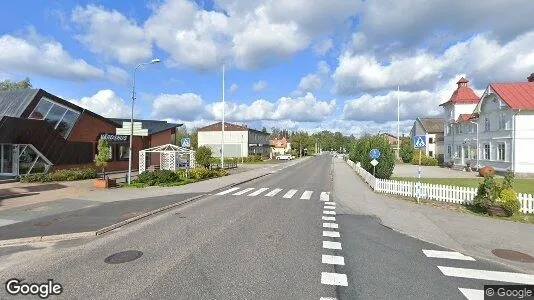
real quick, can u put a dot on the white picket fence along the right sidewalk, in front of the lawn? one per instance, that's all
(445, 193)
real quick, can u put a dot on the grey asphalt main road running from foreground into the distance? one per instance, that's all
(272, 238)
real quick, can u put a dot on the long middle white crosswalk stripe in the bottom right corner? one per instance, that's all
(487, 275)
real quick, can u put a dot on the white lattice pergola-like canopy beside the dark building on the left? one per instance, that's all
(171, 157)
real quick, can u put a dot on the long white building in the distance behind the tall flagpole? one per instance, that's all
(239, 141)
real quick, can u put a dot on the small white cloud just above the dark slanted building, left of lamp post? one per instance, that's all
(105, 103)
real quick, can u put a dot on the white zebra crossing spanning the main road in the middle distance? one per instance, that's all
(272, 192)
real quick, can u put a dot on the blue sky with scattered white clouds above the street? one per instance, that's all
(299, 65)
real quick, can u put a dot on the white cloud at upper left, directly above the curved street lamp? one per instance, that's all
(111, 34)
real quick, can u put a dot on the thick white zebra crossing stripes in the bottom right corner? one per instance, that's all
(475, 274)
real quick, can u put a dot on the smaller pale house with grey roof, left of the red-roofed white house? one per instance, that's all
(432, 129)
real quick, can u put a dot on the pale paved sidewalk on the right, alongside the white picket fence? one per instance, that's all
(469, 234)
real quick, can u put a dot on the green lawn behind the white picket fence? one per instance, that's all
(520, 185)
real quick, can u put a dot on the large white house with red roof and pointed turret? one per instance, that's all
(503, 120)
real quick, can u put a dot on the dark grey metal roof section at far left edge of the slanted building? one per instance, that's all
(14, 102)
